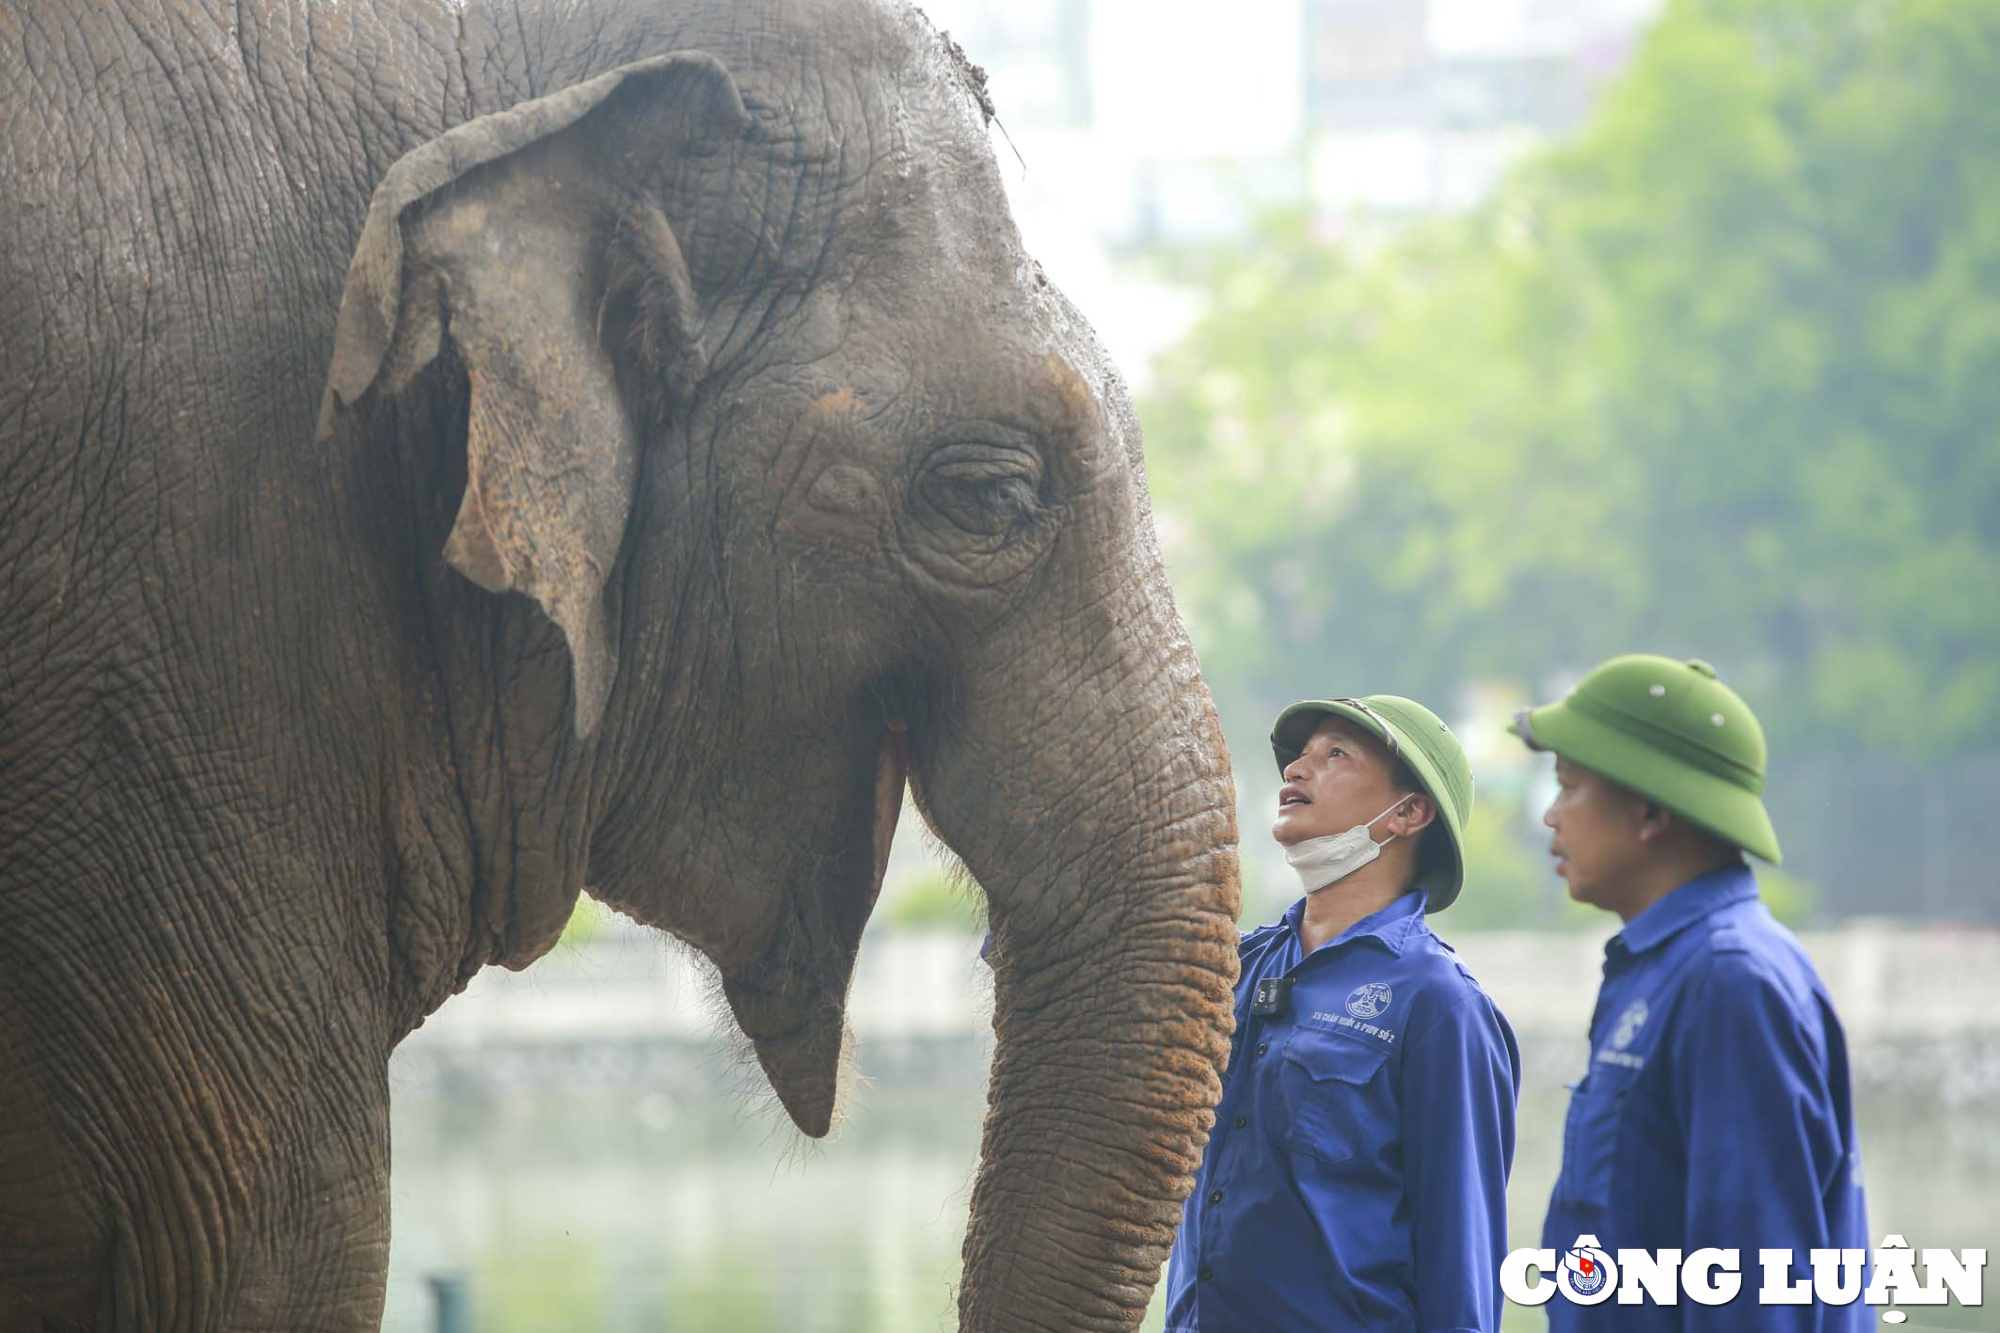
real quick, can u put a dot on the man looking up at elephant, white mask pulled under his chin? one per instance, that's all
(1357, 1172)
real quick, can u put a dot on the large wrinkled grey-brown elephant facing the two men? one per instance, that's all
(671, 457)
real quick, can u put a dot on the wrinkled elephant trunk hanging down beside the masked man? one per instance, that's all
(1115, 962)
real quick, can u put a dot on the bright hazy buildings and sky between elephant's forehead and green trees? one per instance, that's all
(1135, 125)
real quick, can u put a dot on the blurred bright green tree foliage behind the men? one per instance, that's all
(1721, 377)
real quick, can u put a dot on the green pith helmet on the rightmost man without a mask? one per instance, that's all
(1673, 734)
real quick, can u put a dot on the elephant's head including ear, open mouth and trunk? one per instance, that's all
(731, 363)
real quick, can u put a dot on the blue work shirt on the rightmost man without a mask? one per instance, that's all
(1715, 1112)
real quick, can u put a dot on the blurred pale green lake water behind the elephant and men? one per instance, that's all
(577, 1204)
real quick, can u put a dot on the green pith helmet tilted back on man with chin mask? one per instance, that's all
(1417, 738)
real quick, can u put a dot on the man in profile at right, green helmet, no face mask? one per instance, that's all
(1717, 1106)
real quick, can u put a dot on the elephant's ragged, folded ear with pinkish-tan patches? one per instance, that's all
(513, 237)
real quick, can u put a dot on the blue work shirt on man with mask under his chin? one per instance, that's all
(1357, 1172)
